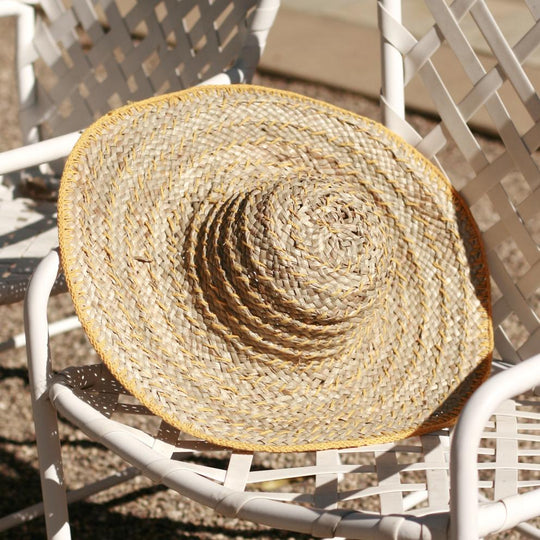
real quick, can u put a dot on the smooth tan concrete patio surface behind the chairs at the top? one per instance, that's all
(336, 43)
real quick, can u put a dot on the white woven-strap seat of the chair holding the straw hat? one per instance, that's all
(326, 493)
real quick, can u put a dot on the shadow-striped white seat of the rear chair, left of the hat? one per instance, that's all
(27, 233)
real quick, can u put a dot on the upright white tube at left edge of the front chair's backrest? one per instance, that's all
(392, 80)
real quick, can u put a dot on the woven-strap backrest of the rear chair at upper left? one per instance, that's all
(96, 55)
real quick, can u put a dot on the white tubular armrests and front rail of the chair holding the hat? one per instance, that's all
(154, 459)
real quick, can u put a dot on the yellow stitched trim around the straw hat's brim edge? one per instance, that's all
(64, 228)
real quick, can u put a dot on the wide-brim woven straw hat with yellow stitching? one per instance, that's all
(268, 272)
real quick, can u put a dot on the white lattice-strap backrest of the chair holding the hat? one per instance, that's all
(465, 43)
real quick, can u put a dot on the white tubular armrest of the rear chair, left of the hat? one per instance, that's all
(37, 153)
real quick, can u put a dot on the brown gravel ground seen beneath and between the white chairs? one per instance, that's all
(138, 509)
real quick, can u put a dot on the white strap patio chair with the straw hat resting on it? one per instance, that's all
(480, 481)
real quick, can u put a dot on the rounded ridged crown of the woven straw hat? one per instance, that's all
(293, 258)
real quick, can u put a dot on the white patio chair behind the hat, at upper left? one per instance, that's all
(73, 65)
